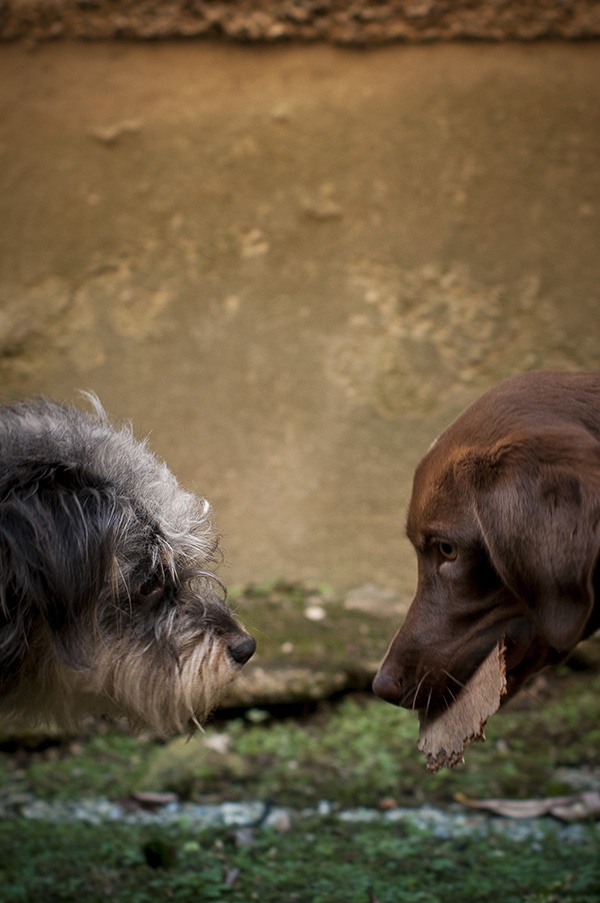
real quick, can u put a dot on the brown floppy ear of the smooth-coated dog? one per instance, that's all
(537, 499)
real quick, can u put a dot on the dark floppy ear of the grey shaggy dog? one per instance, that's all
(56, 548)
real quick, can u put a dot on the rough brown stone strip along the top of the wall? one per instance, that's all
(340, 21)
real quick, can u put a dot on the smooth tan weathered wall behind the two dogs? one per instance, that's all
(293, 266)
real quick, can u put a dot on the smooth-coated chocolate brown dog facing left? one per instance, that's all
(505, 519)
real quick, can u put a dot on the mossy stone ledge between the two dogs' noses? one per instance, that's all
(312, 643)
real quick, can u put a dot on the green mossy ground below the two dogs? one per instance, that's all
(356, 751)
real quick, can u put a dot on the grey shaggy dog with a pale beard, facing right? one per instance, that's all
(108, 602)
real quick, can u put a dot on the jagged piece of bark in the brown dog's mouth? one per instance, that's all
(444, 736)
